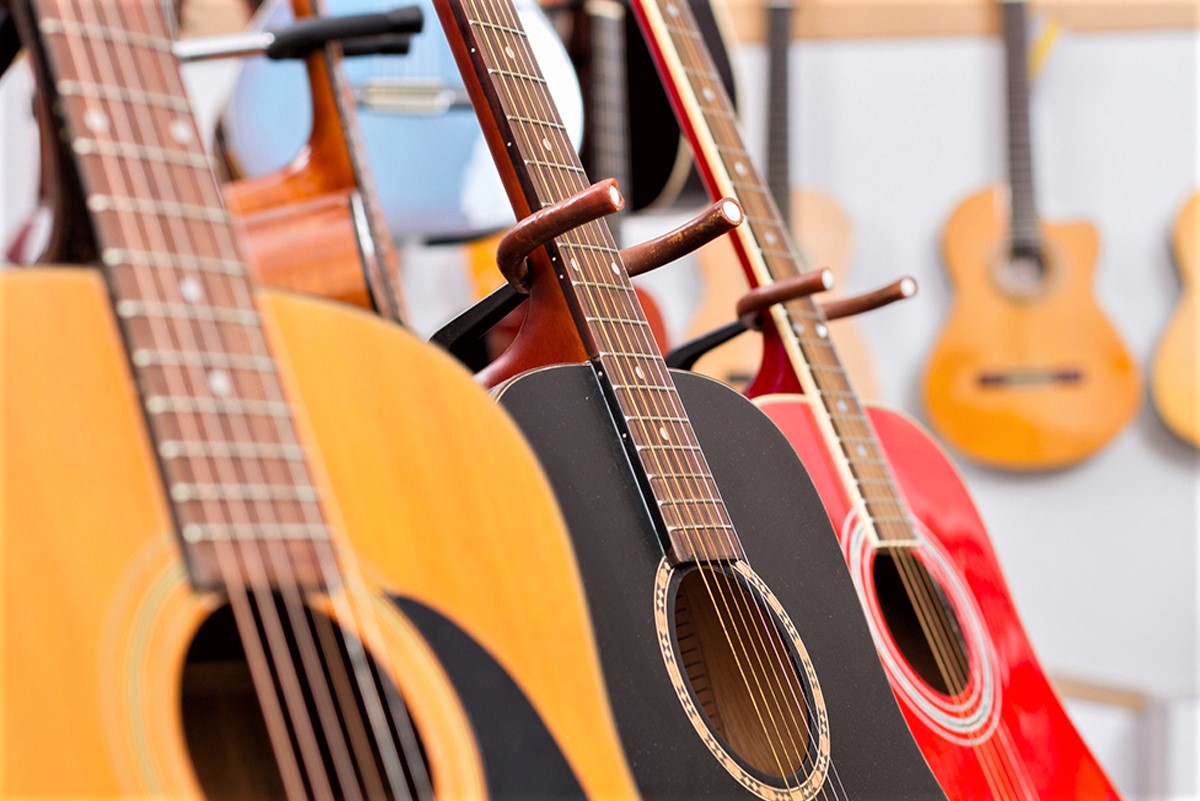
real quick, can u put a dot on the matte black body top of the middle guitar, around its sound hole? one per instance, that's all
(788, 541)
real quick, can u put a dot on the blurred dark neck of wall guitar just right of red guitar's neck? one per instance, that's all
(779, 40)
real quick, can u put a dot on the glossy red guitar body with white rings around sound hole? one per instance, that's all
(1006, 736)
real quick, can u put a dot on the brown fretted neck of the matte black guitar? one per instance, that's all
(532, 149)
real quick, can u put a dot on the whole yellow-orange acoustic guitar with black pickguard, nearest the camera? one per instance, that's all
(242, 557)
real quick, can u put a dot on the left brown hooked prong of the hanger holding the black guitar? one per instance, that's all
(598, 201)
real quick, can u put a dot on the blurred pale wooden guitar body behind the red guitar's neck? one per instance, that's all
(825, 236)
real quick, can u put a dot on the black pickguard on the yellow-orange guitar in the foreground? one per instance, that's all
(521, 760)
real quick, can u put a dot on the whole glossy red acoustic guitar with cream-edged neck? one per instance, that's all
(961, 665)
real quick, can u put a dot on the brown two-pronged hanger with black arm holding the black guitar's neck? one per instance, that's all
(464, 334)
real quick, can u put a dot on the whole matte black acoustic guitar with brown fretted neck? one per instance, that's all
(735, 653)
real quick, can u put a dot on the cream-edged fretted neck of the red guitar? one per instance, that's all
(769, 255)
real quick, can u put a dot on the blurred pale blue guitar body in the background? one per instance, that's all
(455, 196)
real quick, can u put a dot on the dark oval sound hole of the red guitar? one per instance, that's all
(908, 594)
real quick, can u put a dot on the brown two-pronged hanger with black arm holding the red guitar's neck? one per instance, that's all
(752, 308)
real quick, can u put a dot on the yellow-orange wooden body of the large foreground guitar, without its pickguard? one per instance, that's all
(481, 617)
